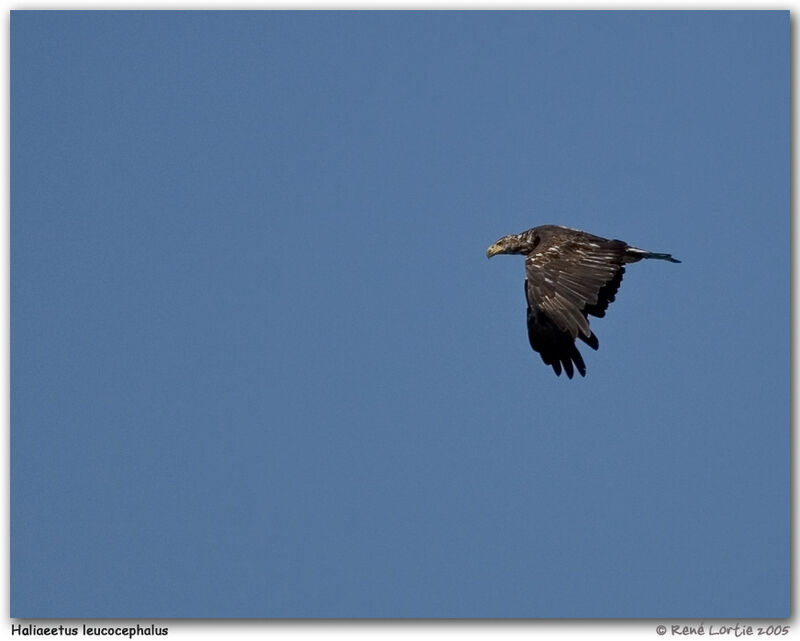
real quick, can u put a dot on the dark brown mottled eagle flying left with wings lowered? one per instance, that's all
(569, 274)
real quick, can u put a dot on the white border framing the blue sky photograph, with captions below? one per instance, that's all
(396, 629)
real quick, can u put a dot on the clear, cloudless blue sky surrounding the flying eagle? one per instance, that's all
(261, 366)
